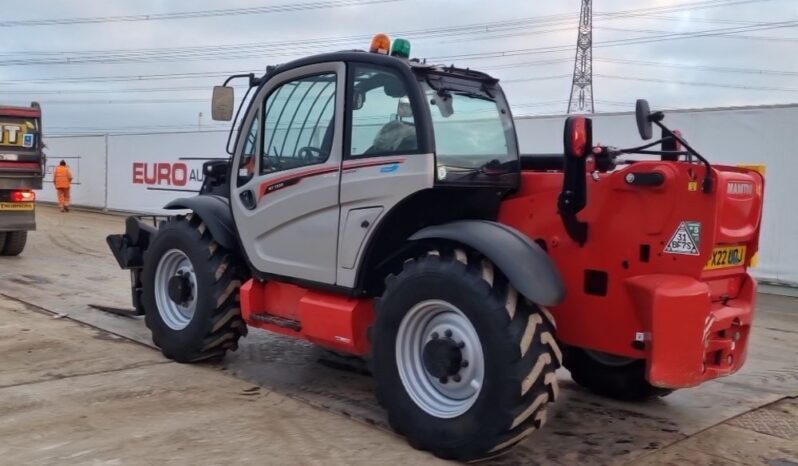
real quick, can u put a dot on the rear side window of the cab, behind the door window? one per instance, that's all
(382, 118)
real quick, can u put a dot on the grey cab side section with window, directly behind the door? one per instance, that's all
(385, 157)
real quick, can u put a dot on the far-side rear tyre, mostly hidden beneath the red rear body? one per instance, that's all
(611, 376)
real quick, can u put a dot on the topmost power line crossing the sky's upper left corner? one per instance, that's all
(281, 8)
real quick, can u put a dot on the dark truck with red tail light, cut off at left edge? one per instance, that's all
(21, 172)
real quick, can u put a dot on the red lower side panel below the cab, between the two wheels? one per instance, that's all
(329, 320)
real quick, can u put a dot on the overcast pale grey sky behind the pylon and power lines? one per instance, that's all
(737, 52)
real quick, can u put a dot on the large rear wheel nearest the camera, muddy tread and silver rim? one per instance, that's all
(463, 364)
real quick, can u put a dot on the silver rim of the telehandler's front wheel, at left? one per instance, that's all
(175, 315)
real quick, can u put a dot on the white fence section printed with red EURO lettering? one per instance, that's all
(147, 171)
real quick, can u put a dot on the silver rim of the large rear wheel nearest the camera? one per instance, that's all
(420, 325)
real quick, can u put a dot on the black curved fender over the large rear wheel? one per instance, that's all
(525, 264)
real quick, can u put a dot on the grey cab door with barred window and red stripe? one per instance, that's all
(286, 173)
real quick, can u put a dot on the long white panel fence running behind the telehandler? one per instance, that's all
(146, 171)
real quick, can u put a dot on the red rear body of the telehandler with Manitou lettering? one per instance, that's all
(664, 299)
